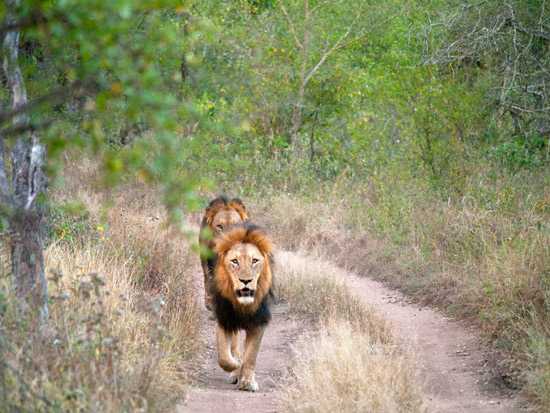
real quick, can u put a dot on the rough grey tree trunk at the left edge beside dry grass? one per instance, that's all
(28, 181)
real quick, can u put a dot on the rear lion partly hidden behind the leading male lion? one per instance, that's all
(220, 214)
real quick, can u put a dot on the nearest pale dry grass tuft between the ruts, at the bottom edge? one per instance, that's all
(345, 371)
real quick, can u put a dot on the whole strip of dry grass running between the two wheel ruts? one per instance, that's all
(354, 364)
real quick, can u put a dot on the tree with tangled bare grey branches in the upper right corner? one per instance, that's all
(510, 41)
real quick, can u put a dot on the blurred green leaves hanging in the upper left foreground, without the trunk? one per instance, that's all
(101, 73)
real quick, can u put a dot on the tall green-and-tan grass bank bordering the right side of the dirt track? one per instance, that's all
(465, 257)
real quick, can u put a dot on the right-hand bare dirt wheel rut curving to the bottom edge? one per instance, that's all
(450, 358)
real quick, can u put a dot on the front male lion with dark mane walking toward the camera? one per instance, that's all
(241, 291)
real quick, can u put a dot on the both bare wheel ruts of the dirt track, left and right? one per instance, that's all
(450, 360)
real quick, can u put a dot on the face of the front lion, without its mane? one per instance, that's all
(244, 263)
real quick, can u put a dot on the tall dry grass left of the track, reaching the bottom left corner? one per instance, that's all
(111, 345)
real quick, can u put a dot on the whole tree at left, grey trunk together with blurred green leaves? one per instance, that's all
(104, 56)
